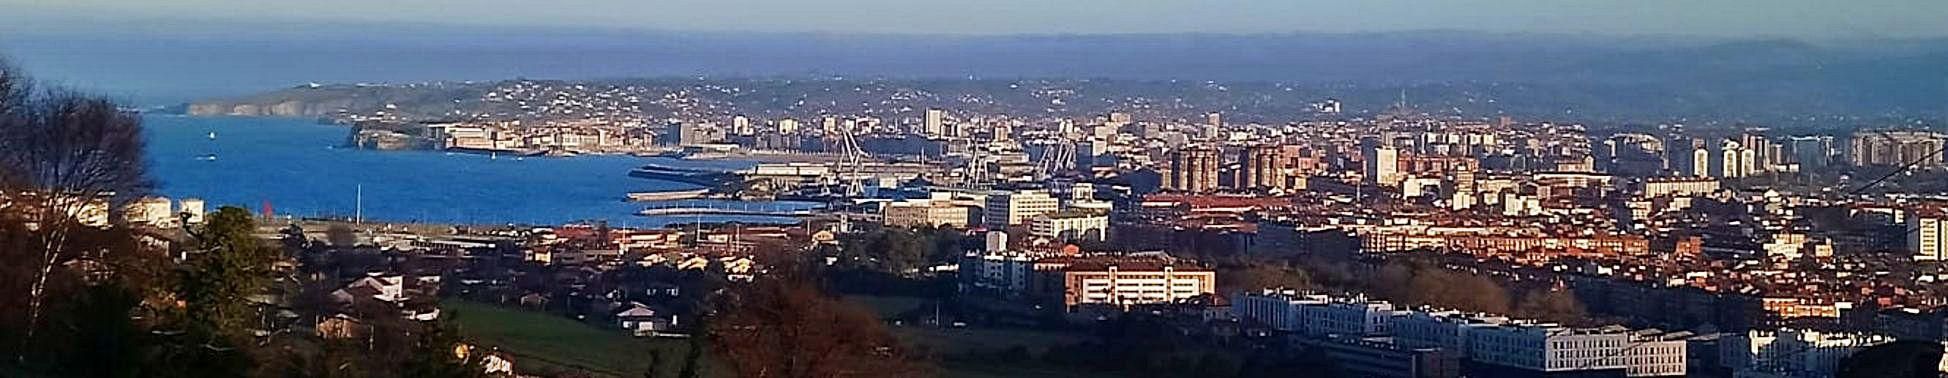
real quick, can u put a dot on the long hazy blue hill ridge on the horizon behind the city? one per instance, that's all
(1265, 77)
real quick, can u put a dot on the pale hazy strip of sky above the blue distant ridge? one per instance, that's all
(1721, 19)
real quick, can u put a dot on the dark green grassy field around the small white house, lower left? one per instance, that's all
(546, 344)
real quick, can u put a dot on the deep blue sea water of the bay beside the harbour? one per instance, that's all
(301, 169)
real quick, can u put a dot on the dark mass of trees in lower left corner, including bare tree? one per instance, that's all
(87, 297)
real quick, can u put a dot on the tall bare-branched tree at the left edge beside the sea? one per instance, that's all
(63, 157)
